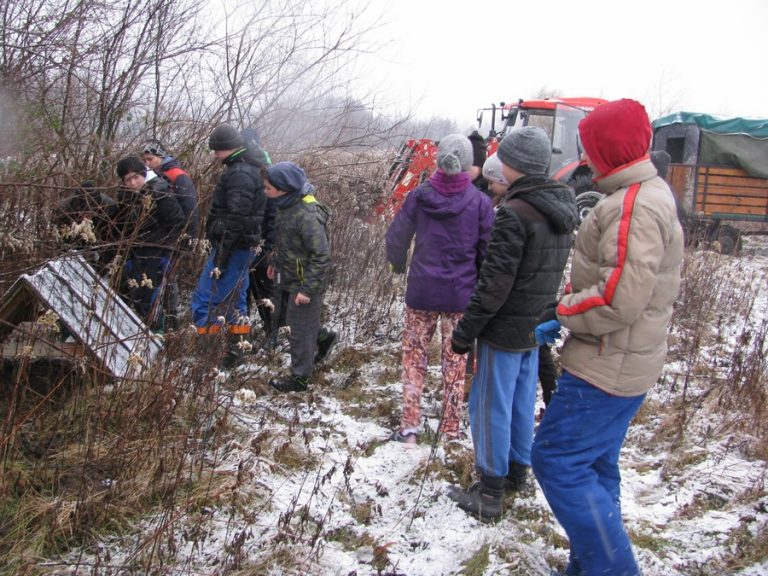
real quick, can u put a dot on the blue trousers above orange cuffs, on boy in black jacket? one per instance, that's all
(224, 296)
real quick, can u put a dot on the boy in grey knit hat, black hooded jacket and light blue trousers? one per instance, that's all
(530, 241)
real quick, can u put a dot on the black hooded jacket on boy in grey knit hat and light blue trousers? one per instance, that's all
(530, 242)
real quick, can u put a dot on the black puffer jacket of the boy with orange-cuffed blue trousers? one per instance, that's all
(237, 210)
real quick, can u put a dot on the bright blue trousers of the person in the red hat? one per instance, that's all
(576, 462)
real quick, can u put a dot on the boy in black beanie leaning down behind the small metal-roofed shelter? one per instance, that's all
(149, 220)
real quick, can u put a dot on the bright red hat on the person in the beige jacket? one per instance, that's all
(615, 133)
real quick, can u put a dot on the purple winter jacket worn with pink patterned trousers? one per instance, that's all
(452, 230)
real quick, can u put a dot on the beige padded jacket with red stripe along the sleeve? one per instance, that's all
(625, 277)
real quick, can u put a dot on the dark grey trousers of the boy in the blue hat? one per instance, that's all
(304, 322)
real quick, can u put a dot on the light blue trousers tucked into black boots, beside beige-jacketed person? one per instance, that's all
(501, 406)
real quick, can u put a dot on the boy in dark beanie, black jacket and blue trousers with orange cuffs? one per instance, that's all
(233, 227)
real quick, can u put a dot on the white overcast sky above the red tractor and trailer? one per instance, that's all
(448, 59)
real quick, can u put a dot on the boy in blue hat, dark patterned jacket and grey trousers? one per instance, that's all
(300, 267)
